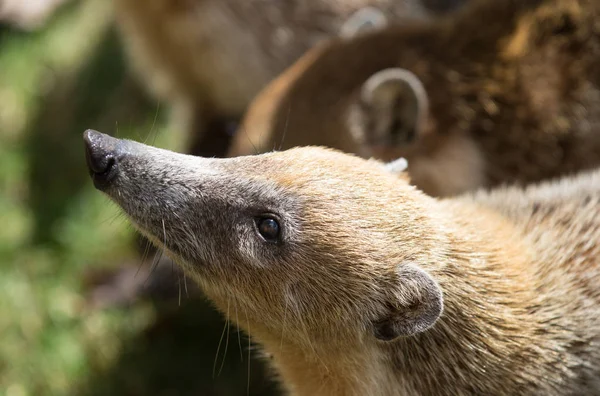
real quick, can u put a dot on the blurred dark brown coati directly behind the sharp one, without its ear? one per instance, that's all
(512, 88)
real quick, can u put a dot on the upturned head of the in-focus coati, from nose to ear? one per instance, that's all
(299, 238)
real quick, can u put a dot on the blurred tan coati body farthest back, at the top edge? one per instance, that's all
(209, 58)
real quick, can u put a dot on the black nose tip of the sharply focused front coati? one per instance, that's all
(100, 153)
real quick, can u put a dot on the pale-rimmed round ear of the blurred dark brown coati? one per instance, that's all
(398, 106)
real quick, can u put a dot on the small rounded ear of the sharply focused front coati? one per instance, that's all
(415, 305)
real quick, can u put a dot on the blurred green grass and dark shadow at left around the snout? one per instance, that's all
(62, 70)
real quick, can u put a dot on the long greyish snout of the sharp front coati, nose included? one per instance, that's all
(171, 198)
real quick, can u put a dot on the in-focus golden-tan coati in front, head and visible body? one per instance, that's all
(518, 269)
